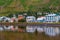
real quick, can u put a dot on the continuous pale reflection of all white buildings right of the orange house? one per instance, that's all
(51, 31)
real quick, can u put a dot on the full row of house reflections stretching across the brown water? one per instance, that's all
(51, 31)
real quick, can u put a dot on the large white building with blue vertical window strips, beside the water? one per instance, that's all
(50, 18)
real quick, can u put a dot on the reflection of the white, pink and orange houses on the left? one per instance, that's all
(12, 28)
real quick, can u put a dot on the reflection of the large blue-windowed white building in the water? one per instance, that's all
(51, 31)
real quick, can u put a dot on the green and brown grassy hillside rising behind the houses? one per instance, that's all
(28, 5)
